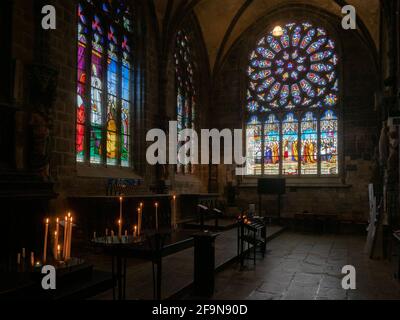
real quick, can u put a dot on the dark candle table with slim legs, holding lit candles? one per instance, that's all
(152, 247)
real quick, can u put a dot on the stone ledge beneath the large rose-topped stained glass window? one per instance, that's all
(311, 182)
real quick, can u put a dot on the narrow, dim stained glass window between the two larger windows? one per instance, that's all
(186, 97)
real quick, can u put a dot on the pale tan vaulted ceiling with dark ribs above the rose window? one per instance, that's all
(223, 21)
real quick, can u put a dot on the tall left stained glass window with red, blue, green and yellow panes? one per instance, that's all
(105, 82)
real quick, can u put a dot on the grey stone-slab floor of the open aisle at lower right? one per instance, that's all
(308, 267)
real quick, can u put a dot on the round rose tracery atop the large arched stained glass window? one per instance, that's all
(302, 57)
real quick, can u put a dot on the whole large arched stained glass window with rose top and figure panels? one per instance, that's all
(293, 92)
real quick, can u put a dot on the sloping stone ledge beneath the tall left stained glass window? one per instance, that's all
(85, 171)
